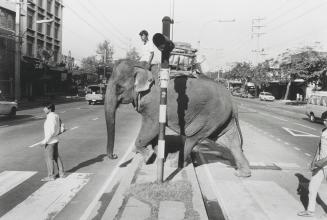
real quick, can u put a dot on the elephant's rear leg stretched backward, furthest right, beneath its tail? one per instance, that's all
(234, 143)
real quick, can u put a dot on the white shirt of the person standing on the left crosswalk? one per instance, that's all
(51, 128)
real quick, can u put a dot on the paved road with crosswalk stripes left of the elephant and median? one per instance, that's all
(82, 148)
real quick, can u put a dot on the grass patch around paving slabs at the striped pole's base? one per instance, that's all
(154, 193)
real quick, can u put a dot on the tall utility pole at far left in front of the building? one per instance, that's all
(17, 50)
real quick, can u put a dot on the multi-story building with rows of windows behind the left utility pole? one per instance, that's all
(41, 45)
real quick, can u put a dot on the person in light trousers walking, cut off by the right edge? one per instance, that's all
(319, 171)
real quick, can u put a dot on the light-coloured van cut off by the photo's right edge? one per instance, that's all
(316, 106)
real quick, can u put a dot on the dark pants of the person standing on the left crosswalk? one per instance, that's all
(52, 155)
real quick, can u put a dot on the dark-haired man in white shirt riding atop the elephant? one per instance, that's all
(146, 50)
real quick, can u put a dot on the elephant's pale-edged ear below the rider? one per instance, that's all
(143, 79)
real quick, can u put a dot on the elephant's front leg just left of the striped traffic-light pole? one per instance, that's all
(149, 130)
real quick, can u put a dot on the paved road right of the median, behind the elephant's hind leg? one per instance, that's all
(279, 144)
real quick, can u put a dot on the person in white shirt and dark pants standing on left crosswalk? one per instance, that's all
(52, 128)
